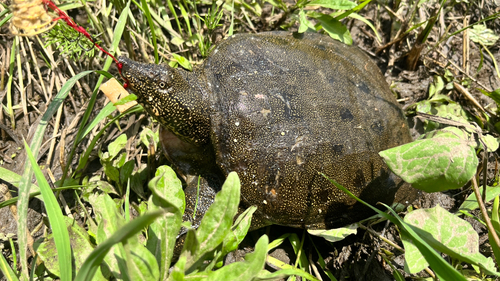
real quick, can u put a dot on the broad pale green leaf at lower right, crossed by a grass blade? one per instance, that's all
(449, 234)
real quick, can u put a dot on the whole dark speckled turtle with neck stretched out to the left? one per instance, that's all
(280, 109)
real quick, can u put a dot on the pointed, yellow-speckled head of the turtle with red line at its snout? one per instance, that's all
(167, 96)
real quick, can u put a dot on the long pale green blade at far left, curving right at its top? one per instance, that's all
(25, 183)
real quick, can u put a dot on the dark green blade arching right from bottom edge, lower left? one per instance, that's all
(95, 258)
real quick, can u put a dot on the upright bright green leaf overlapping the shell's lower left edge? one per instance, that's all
(218, 219)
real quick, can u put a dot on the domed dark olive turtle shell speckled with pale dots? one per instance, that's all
(286, 109)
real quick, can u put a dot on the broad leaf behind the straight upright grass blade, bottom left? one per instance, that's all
(80, 245)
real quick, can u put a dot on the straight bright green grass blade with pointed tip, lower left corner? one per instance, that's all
(56, 219)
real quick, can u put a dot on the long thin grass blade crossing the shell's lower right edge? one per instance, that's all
(442, 269)
